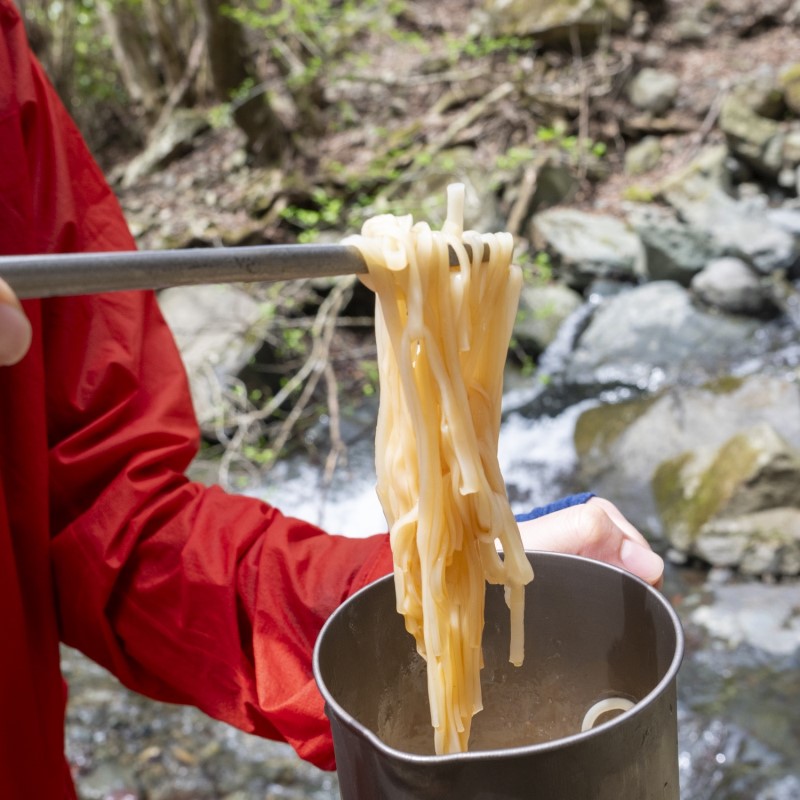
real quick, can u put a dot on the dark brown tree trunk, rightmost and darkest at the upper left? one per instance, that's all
(232, 69)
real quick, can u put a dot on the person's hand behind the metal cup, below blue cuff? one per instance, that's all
(595, 529)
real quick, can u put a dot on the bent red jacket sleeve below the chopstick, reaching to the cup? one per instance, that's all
(186, 593)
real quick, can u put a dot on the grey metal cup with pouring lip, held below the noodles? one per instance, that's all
(592, 631)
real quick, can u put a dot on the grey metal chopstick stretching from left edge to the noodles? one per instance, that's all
(86, 273)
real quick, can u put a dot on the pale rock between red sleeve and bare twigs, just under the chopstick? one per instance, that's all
(218, 330)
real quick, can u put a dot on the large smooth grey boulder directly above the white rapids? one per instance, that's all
(653, 335)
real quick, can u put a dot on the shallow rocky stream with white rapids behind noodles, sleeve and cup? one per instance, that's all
(739, 685)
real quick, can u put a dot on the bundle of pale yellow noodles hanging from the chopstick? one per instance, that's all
(442, 336)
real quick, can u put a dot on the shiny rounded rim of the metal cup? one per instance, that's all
(505, 753)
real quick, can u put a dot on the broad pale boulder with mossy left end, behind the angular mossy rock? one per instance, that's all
(619, 446)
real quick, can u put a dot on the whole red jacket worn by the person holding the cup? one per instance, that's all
(185, 593)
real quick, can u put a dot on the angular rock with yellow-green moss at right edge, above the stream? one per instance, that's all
(727, 504)
